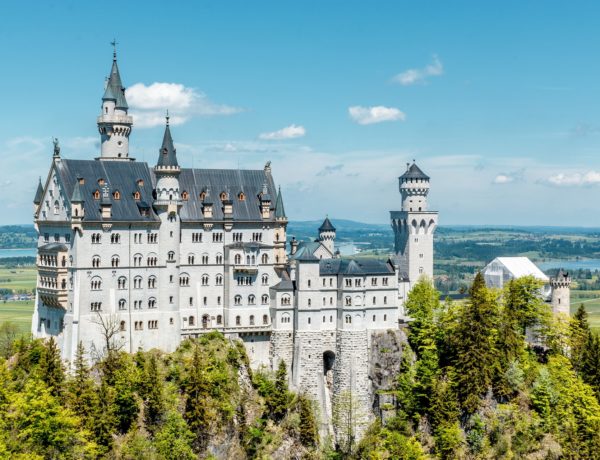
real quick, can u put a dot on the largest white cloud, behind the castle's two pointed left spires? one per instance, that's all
(149, 104)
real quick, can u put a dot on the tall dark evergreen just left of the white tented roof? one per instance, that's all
(476, 355)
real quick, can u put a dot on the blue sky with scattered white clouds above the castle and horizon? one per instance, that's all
(498, 102)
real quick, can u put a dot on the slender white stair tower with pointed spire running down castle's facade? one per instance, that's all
(167, 204)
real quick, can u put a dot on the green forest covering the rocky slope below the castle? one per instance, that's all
(494, 377)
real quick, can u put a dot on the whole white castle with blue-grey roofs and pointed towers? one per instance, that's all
(158, 253)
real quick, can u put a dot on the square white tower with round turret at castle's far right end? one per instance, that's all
(414, 226)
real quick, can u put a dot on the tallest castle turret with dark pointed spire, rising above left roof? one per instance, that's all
(114, 124)
